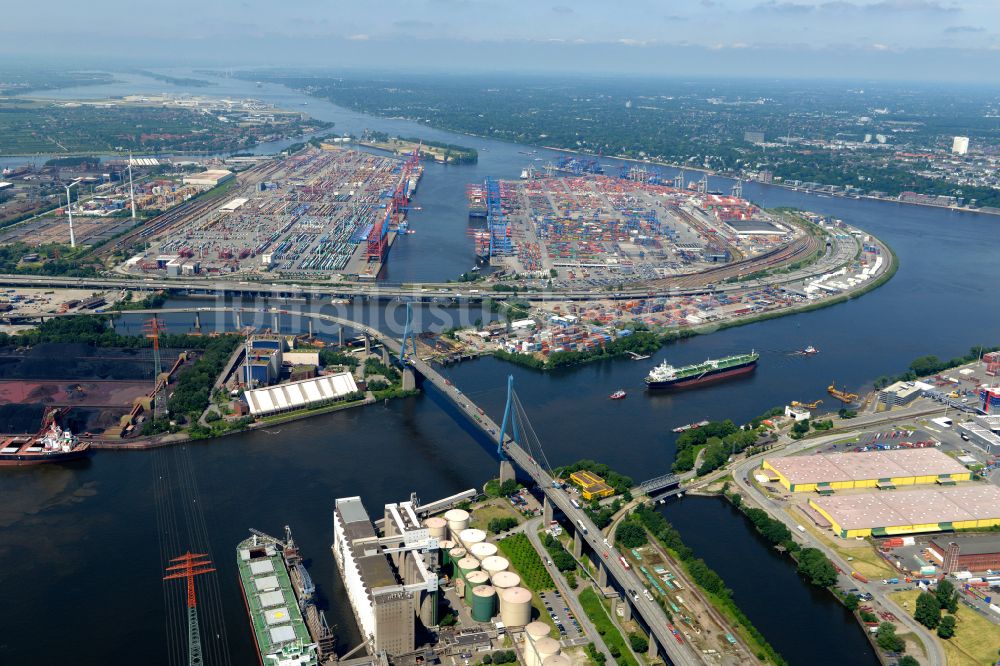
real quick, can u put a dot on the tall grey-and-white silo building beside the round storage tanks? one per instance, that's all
(391, 580)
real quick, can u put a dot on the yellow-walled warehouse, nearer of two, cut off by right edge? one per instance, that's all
(974, 506)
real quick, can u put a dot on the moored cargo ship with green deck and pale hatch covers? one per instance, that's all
(289, 630)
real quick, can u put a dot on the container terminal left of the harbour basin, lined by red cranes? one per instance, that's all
(314, 214)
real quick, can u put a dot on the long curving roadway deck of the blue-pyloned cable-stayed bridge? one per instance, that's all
(651, 613)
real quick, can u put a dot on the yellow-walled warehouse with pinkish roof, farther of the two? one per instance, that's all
(827, 472)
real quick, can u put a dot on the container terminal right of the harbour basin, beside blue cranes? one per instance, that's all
(597, 226)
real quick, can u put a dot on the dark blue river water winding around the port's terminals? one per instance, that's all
(80, 543)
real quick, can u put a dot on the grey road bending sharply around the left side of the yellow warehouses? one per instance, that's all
(741, 473)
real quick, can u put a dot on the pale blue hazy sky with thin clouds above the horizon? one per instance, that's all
(904, 39)
